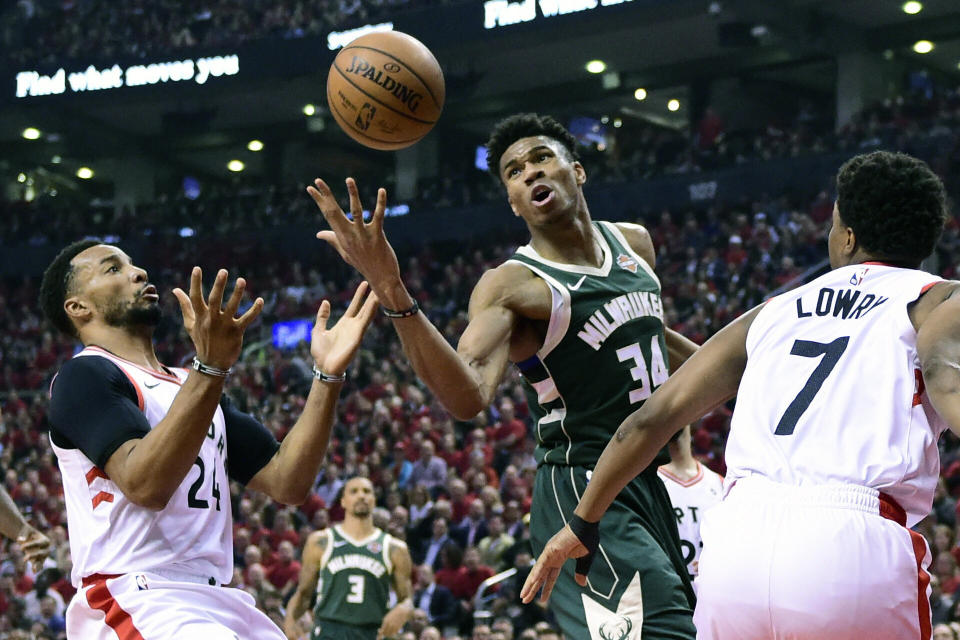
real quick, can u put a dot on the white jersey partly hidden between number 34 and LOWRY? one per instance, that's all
(690, 499)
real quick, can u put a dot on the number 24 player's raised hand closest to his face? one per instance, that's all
(215, 329)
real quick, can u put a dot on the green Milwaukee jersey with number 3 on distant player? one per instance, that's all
(354, 583)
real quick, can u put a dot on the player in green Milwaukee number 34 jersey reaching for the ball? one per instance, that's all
(578, 310)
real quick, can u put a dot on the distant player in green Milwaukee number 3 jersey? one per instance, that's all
(350, 568)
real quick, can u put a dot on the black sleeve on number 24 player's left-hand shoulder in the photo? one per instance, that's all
(93, 407)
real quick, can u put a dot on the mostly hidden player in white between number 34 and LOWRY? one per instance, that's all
(693, 489)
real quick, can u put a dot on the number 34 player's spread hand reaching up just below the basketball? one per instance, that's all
(363, 245)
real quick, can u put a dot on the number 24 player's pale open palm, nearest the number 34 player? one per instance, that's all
(333, 348)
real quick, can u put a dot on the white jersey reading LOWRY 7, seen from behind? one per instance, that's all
(832, 391)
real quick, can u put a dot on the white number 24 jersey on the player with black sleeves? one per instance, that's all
(109, 534)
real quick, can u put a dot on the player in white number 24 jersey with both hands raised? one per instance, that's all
(144, 449)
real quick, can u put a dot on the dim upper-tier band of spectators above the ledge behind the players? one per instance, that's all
(924, 124)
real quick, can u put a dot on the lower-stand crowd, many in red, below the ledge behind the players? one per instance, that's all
(456, 492)
